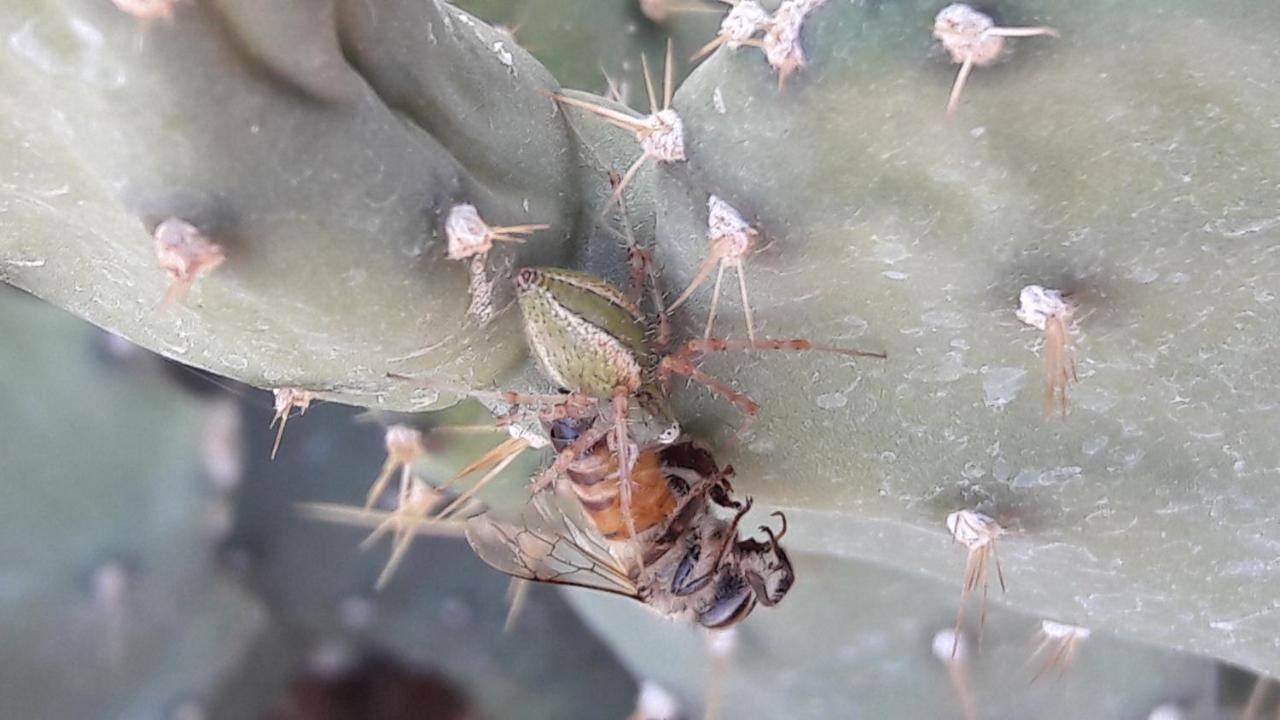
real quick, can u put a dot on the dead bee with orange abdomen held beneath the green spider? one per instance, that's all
(688, 562)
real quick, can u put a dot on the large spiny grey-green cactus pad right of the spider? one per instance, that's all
(1087, 163)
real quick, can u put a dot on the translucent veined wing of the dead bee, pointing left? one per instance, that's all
(550, 546)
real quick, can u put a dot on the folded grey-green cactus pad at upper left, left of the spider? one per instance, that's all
(326, 167)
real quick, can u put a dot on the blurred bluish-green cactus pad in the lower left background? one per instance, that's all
(115, 604)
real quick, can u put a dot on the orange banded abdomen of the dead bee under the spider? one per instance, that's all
(596, 484)
